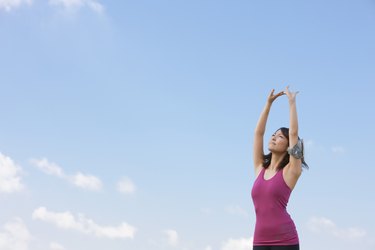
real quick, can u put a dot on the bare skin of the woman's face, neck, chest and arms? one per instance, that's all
(278, 143)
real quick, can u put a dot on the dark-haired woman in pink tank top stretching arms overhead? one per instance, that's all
(276, 175)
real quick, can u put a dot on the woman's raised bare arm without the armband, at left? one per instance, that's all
(260, 129)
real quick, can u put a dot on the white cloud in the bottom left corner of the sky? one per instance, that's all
(15, 236)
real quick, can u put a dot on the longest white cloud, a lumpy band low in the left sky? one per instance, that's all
(80, 223)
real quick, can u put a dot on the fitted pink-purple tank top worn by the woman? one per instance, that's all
(273, 226)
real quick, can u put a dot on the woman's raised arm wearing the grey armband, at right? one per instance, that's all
(295, 164)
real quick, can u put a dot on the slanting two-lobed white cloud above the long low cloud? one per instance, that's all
(80, 180)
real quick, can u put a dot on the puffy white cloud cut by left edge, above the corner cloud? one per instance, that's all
(10, 179)
